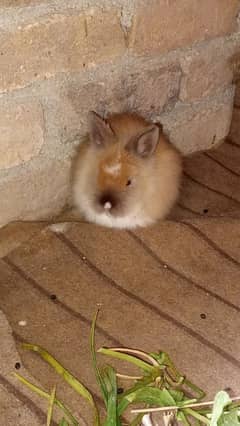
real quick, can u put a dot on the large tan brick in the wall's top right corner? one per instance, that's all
(164, 25)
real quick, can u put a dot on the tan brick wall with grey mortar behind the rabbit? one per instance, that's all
(166, 59)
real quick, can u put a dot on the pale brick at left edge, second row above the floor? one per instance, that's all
(21, 132)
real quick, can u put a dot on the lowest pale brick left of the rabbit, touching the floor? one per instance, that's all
(34, 192)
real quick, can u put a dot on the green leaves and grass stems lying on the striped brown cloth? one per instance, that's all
(159, 387)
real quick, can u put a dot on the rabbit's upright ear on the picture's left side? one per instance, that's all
(100, 131)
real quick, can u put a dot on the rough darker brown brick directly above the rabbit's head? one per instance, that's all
(146, 91)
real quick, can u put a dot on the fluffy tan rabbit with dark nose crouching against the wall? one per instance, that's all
(127, 174)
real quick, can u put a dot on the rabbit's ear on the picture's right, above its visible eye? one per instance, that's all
(145, 143)
